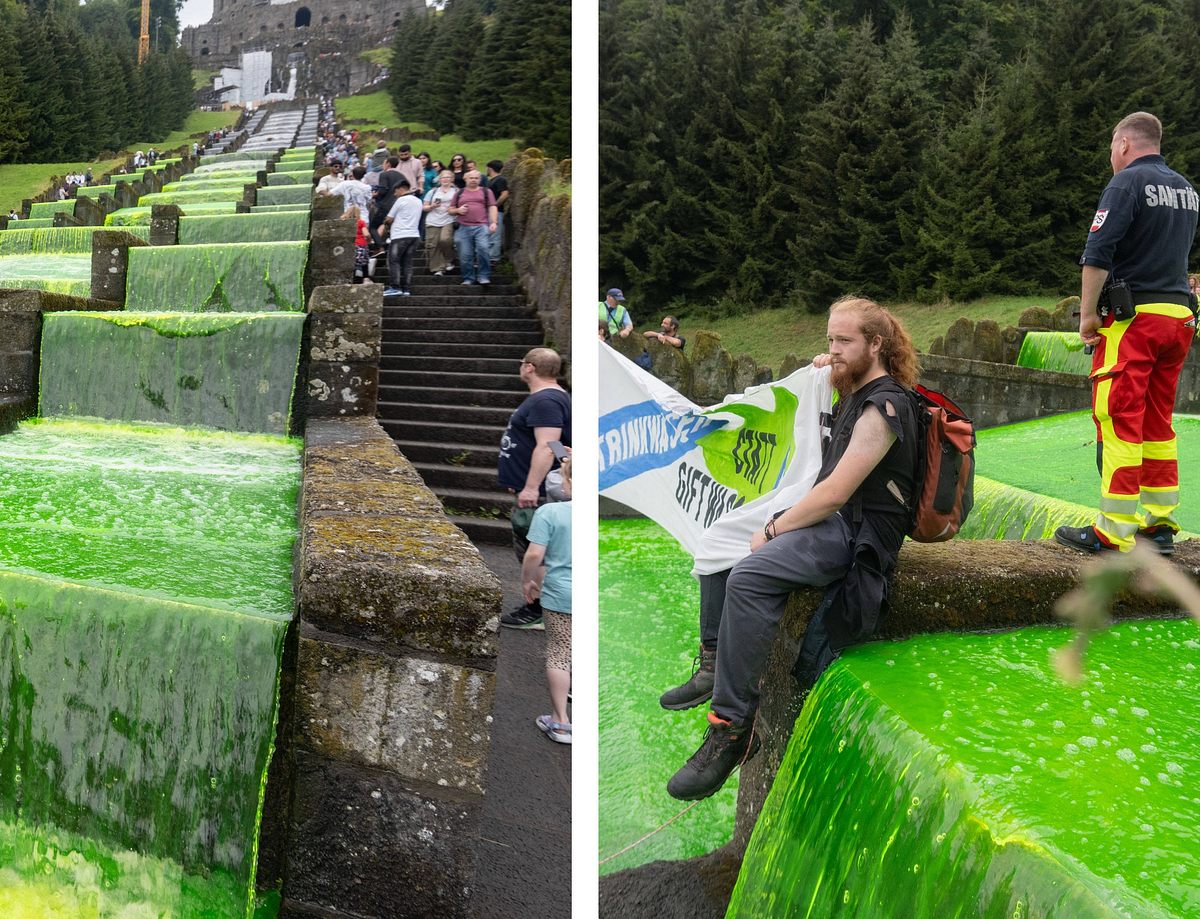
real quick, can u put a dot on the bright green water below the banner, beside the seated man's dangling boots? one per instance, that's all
(649, 611)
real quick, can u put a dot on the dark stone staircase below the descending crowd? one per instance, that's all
(448, 383)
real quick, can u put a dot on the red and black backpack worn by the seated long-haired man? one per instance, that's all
(945, 467)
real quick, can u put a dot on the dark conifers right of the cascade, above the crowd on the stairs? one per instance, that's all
(487, 69)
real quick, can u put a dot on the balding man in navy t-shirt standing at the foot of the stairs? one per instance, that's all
(526, 458)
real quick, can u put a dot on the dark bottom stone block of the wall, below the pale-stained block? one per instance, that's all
(364, 844)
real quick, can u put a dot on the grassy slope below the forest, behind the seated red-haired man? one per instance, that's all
(771, 334)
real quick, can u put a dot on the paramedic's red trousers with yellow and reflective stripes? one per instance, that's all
(1135, 374)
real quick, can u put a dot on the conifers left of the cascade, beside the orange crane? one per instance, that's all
(71, 87)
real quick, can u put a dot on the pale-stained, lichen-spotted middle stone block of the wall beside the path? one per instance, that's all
(424, 720)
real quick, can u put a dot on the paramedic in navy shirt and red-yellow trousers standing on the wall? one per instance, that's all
(1137, 256)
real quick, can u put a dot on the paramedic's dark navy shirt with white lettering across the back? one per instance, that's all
(1144, 227)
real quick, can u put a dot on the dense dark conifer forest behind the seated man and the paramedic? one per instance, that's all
(758, 153)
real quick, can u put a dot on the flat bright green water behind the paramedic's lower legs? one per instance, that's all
(1057, 458)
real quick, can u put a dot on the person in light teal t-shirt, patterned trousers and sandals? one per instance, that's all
(547, 576)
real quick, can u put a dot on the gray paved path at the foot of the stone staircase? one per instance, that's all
(525, 856)
